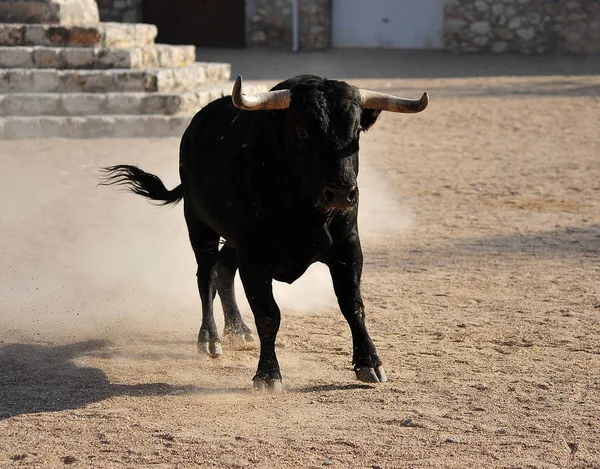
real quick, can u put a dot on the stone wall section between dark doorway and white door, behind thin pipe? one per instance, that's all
(270, 24)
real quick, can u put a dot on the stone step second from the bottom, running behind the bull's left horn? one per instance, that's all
(78, 104)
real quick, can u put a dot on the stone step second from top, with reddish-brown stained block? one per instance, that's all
(105, 35)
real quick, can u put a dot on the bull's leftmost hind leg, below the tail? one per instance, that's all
(205, 243)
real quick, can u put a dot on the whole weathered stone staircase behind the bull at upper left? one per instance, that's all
(60, 77)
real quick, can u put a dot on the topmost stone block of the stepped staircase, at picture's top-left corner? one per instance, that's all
(49, 11)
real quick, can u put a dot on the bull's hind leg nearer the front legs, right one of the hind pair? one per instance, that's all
(235, 329)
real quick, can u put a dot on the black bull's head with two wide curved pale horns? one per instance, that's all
(322, 128)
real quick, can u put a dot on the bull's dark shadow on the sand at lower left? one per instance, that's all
(40, 378)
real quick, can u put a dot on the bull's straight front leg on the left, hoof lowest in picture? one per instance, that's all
(258, 285)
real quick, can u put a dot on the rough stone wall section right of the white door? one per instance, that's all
(523, 26)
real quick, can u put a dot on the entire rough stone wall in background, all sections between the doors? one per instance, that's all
(499, 26)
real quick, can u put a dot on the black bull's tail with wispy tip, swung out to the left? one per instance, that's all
(141, 183)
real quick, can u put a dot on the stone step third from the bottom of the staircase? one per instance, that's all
(116, 80)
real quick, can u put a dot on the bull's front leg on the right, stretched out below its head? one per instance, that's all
(346, 271)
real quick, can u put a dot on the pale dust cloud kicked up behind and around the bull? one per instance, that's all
(79, 261)
